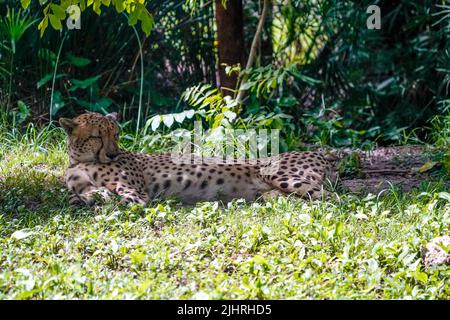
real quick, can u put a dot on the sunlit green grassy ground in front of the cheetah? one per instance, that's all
(351, 247)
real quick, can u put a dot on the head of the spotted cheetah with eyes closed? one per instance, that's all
(92, 137)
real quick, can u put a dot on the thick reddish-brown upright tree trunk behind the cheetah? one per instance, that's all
(230, 36)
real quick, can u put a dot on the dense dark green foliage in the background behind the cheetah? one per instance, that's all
(321, 72)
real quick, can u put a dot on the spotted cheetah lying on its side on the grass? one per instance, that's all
(97, 165)
